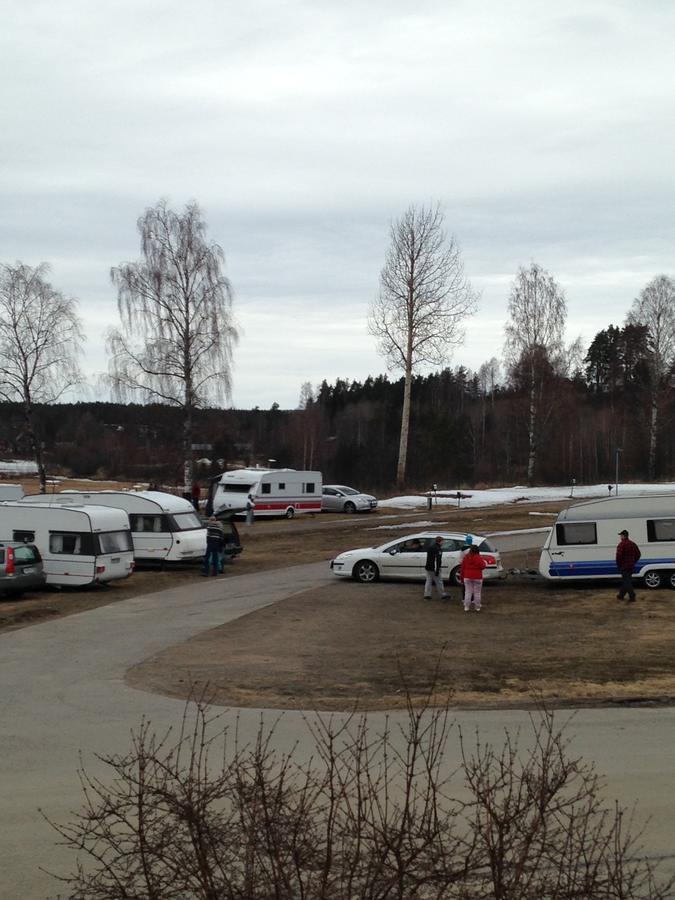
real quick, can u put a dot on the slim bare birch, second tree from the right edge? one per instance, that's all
(535, 331)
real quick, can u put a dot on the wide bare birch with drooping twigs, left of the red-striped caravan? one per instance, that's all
(177, 331)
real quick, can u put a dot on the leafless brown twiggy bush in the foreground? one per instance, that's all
(370, 816)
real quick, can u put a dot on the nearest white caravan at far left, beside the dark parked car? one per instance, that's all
(79, 544)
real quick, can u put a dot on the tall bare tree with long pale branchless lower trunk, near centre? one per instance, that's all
(424, 298)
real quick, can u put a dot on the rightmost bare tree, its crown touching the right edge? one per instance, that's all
(655, 308)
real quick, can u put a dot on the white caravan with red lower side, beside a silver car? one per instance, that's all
(268, 492)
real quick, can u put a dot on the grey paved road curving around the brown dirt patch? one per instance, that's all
(64, 691)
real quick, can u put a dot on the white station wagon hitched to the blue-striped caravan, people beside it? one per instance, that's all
(405, 558)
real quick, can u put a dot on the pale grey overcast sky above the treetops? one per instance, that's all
(546, 130)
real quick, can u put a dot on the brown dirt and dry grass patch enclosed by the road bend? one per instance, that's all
(355, 645)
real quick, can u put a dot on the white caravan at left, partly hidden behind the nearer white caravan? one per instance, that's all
(164, 528)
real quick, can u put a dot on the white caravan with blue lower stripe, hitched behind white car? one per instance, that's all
(582, 543)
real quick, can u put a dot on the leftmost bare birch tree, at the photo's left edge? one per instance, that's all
(40, 341)
